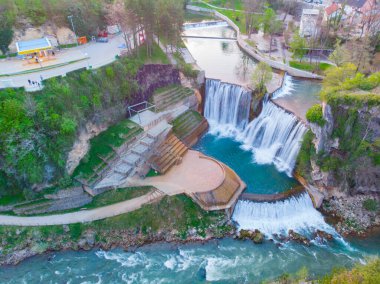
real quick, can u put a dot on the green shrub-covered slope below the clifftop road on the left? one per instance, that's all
(37, 130)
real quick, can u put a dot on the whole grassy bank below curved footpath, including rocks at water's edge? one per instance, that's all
(175, 218)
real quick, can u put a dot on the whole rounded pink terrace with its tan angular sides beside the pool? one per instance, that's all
(211, 184)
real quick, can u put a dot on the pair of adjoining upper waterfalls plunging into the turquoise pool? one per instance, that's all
(275, 136)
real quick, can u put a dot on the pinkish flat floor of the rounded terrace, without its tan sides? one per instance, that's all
(196, 173)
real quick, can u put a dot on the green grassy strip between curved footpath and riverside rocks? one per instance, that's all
(177, 213)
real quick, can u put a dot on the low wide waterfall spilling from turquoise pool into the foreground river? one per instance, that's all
(296, 213)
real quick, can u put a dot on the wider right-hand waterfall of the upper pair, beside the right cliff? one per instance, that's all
(275, 136)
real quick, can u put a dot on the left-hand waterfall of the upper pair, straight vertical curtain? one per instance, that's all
(227, 107)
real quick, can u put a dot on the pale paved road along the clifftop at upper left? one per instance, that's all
(97, 54)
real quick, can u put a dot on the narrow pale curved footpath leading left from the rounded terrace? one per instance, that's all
(82, 216)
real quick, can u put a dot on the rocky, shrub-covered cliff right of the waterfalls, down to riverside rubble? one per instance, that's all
(341, 159)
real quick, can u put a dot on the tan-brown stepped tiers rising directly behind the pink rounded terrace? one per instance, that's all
(168, 154)
